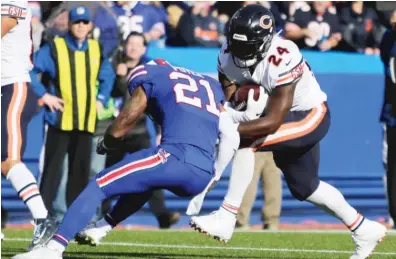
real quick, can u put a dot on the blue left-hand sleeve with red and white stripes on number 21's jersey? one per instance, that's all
(140, 77)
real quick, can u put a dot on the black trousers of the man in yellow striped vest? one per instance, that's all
(77, 144)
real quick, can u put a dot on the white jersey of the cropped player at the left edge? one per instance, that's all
(16, 45)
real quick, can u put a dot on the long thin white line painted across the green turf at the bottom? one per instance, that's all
(217, 247)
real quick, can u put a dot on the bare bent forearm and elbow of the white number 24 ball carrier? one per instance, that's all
(279, 104)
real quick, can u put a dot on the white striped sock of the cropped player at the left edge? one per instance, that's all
(24, 183)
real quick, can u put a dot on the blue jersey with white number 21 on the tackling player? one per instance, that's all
(186, 105)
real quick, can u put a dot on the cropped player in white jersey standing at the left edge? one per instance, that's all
(18, 105)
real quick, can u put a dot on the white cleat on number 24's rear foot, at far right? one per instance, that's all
(366, 238)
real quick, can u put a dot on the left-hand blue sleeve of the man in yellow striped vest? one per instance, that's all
(43, 62)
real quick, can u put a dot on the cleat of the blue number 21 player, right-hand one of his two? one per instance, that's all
(94, 233)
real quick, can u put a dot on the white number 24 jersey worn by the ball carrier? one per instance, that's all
(282, 65)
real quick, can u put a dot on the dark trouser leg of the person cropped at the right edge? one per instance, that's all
(391, 171)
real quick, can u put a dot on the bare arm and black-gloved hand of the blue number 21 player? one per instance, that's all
(124, 122)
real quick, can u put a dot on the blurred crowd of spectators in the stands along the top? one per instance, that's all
(346, 26)
